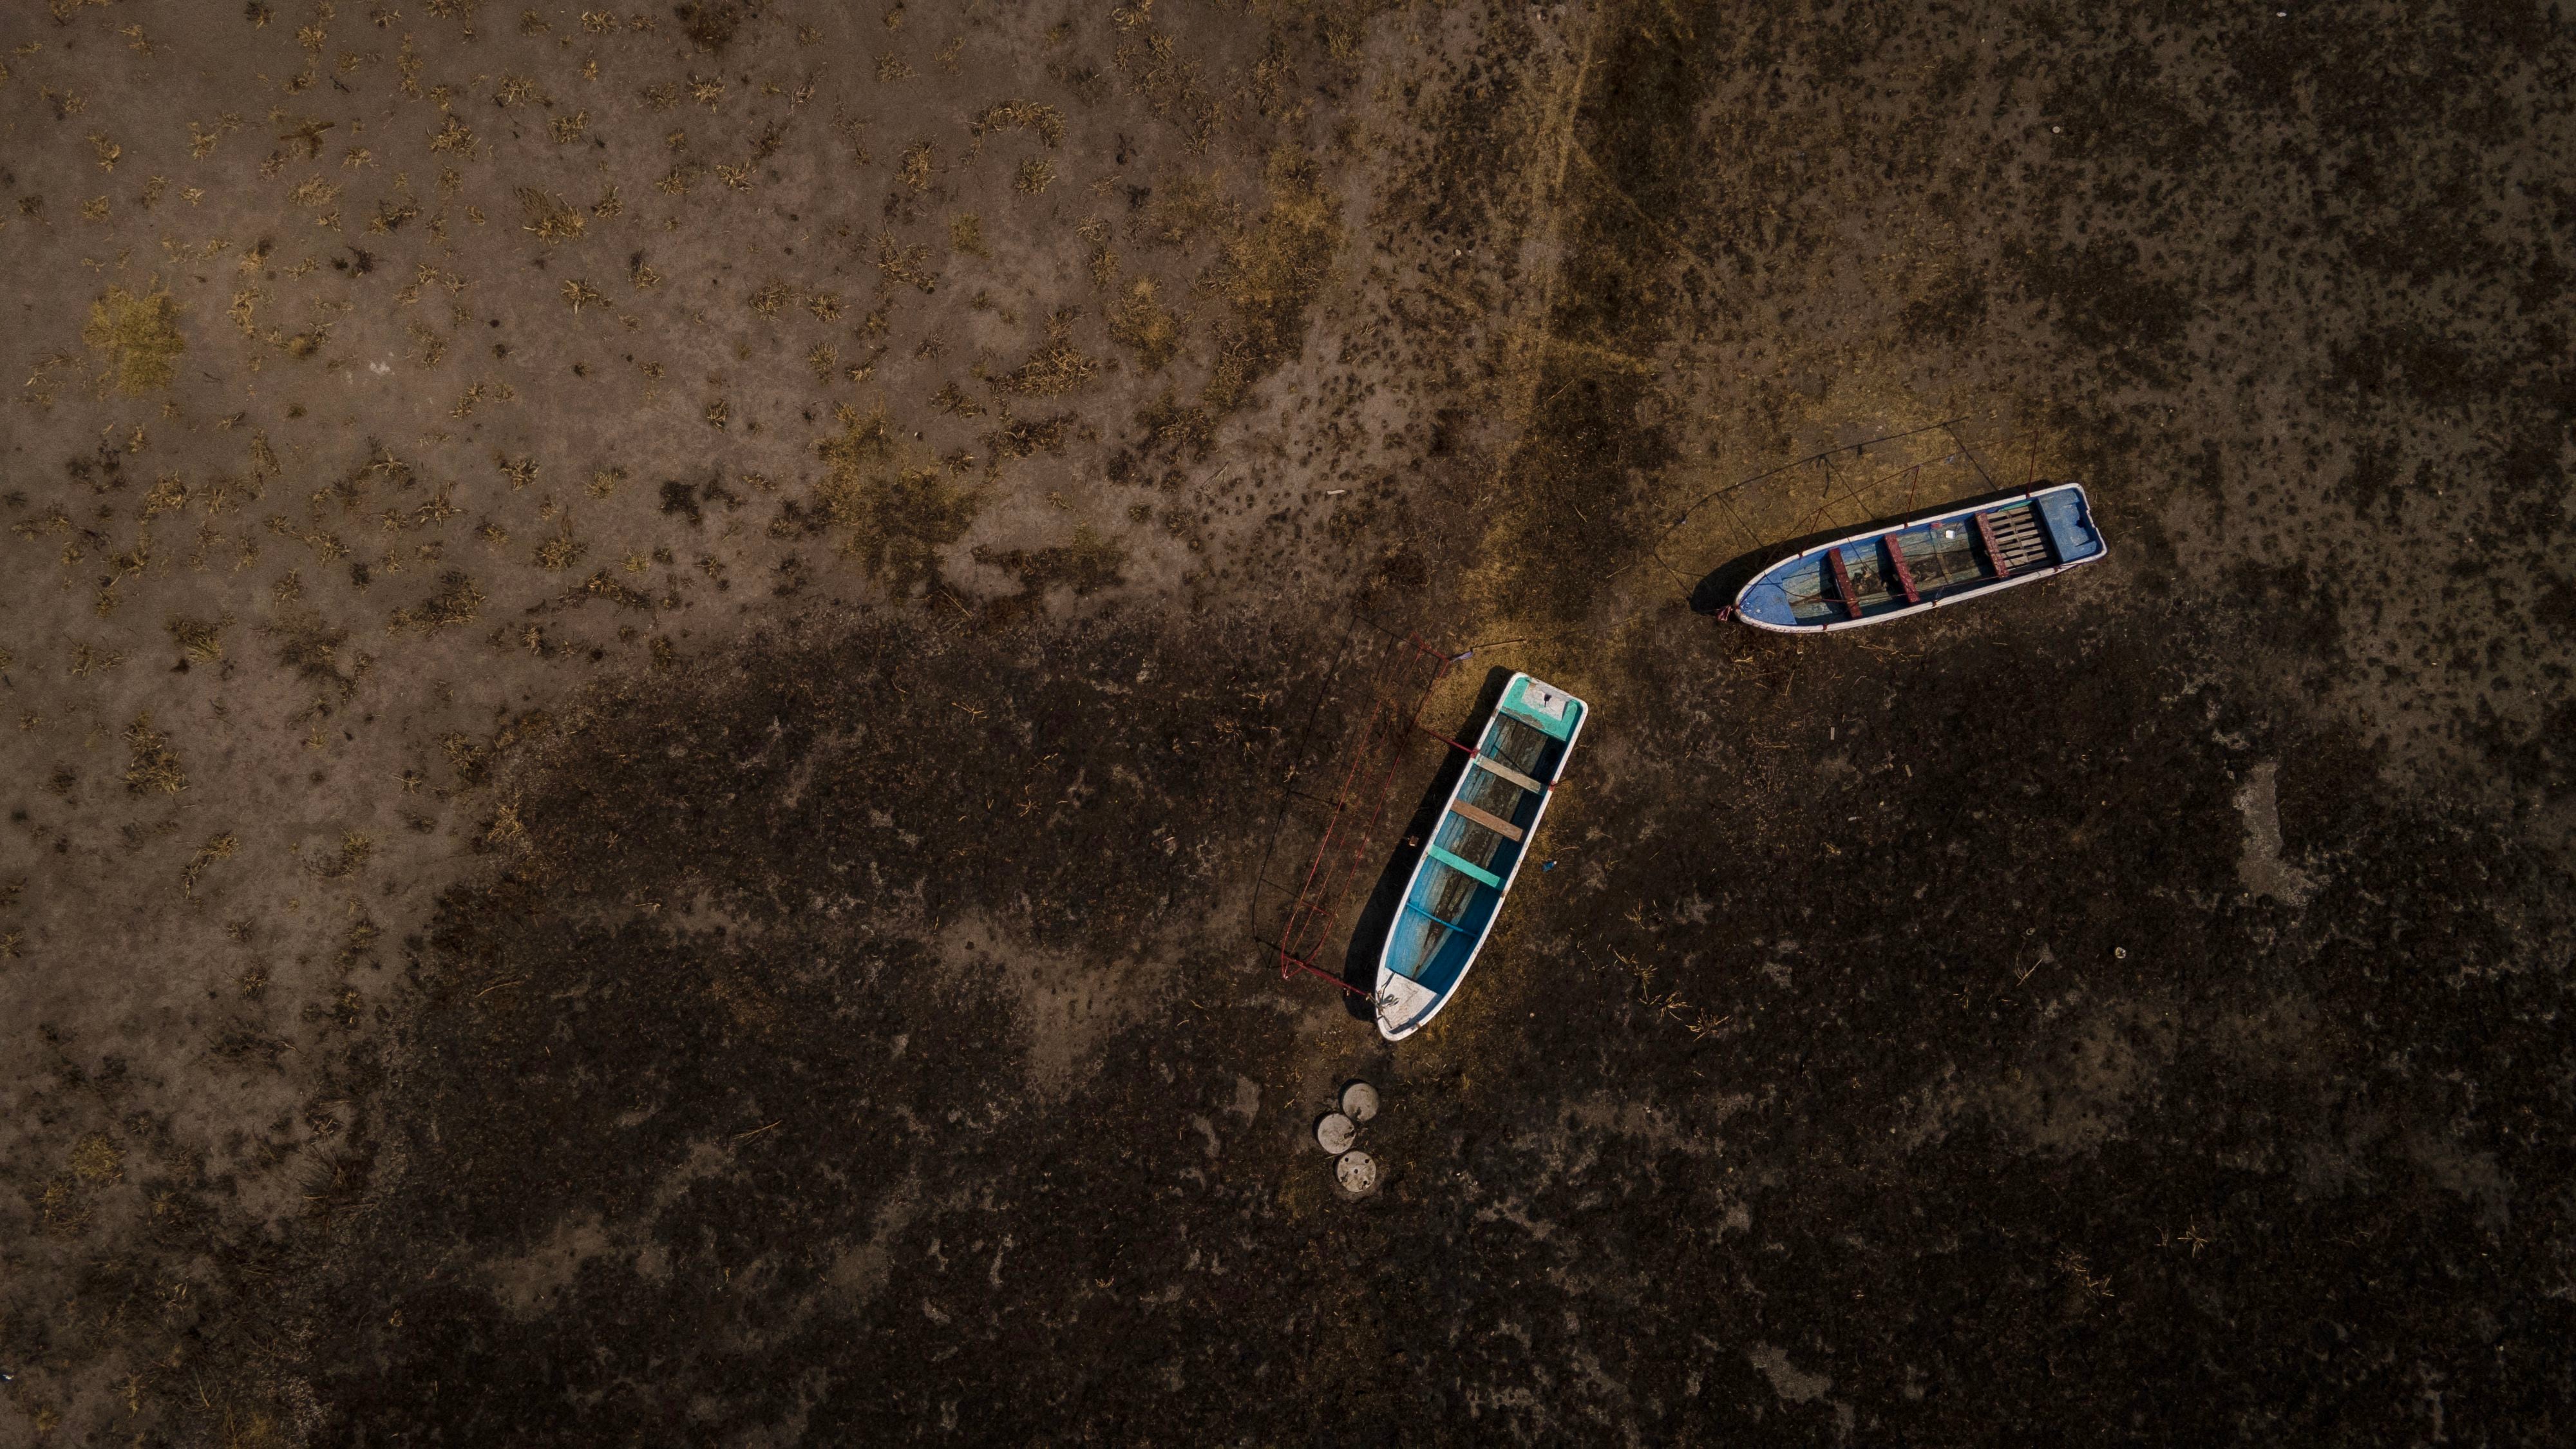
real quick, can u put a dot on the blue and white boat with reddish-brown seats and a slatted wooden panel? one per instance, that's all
(1926, 563)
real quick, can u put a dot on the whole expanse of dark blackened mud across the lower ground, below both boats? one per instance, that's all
(1949, 1069)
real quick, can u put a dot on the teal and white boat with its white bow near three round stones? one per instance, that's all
(1475, 855)
